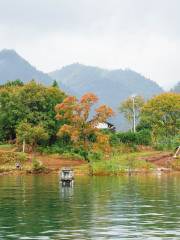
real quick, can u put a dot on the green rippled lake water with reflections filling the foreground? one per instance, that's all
(141, 207)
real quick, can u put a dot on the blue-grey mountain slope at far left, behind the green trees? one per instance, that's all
(13, 66)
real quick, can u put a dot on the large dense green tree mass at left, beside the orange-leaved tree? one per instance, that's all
(32, 103)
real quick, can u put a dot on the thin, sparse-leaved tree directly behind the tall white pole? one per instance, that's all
(128, 108)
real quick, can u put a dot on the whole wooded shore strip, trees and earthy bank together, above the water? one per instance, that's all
(43, 129)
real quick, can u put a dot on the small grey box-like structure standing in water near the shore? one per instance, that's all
(67, 177)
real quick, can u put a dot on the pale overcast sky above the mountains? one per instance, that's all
(143, 35)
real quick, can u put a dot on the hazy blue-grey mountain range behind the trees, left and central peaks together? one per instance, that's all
(111, 87)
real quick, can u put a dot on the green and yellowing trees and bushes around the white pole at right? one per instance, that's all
(158, 120)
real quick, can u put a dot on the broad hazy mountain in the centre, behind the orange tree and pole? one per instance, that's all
(111, 87)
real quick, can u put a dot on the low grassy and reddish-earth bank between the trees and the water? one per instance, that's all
(144, 161)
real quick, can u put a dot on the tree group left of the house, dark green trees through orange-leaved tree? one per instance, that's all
(33, 115)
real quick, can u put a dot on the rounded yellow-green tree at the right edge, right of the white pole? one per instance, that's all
(162, 113)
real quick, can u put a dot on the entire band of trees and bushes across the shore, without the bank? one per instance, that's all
(33, 115)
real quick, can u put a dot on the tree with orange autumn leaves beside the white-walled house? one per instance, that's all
(82, 130)
